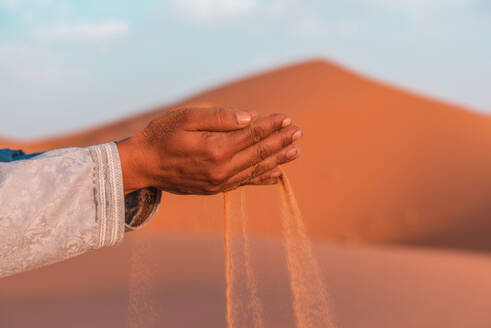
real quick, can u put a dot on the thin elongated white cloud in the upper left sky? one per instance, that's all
(83, 32)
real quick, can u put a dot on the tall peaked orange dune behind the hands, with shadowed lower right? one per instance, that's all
(378, 164)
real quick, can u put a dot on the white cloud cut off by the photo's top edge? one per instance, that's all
(209, 11)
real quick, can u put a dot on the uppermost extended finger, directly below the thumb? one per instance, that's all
(257, 131)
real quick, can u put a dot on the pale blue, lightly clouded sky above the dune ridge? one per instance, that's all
(66, 65)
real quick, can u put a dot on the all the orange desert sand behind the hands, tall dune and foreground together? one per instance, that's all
(379, 165)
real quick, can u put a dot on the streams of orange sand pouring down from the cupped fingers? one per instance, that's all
(244, 308)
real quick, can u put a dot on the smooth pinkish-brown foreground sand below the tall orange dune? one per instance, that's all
(398, 287)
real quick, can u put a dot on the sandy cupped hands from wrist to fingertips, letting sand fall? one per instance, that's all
(200, 150)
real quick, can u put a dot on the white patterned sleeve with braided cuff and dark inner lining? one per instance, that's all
(66, 202)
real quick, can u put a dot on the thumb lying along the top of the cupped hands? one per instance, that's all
(216, 119)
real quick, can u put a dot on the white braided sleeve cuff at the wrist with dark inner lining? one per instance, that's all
(115, 212)
